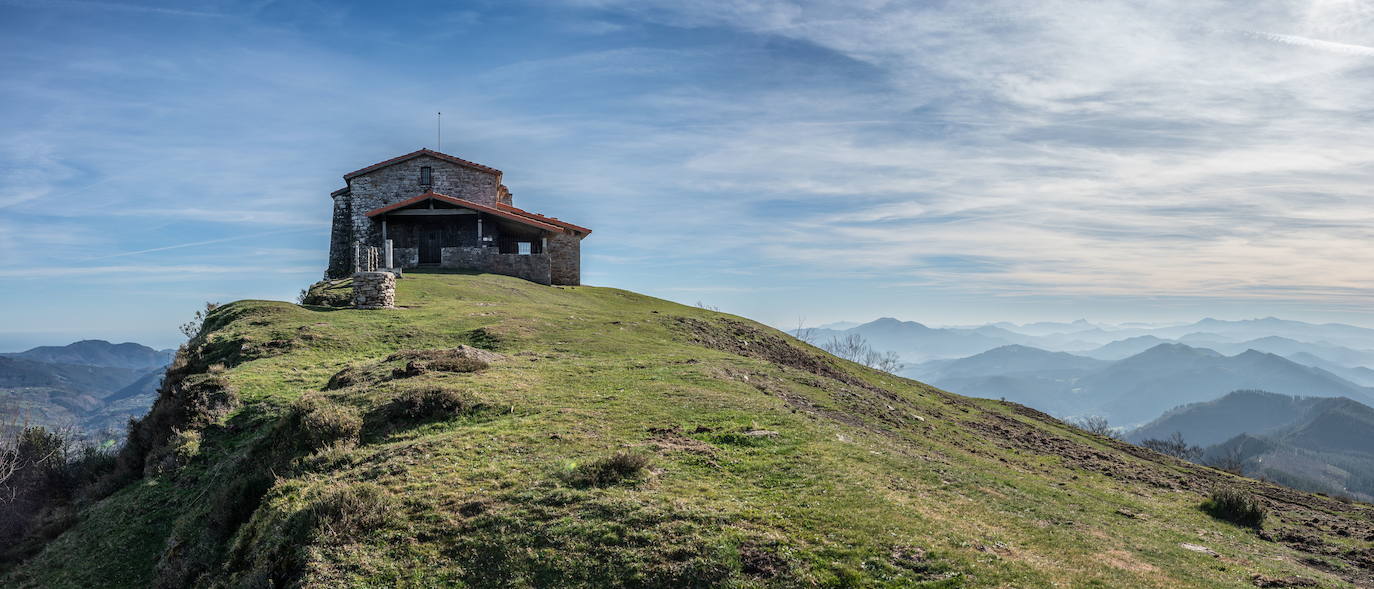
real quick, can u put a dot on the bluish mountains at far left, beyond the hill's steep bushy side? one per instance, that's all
(91, 386)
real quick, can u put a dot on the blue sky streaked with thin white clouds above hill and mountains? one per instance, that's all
(949, 163)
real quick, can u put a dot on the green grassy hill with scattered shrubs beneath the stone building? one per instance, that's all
(594, 437)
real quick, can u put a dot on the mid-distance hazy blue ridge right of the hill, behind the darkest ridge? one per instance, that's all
(1130, 391)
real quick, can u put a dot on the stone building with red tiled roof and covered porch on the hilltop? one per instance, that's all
(444, 212)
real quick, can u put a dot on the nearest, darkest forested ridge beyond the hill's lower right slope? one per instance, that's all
(1306, 443)
